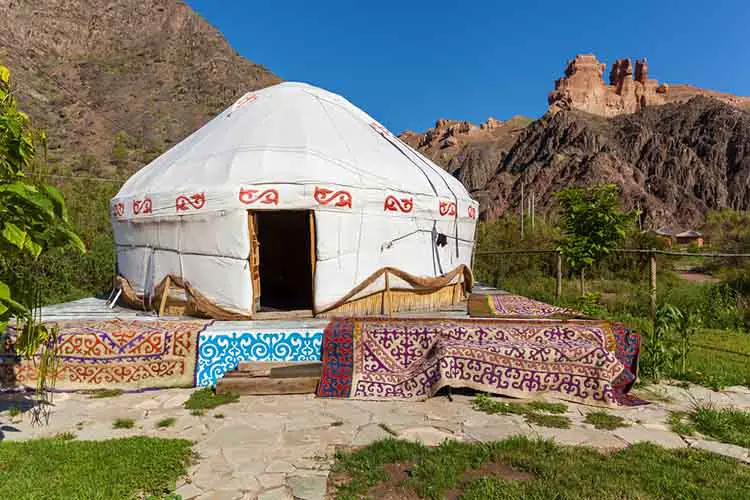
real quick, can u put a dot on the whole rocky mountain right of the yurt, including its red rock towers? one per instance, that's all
(677, 151)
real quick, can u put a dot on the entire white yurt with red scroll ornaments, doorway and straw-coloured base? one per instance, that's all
(294, 201)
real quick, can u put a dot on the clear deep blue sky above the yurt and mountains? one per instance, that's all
(408, 63)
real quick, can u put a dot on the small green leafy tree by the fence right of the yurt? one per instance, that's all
(592, 224)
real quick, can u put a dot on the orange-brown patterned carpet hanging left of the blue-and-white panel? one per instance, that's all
(123, 354)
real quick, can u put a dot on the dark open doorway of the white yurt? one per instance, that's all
(284, 274)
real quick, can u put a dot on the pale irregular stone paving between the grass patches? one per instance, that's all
(282, 447)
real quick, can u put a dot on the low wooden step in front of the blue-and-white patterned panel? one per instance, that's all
(259, 378)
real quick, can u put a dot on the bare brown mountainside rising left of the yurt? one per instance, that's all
(116, 82)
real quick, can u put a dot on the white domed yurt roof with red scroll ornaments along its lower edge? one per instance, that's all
(285, 145)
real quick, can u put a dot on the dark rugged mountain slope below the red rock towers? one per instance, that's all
(674, 161)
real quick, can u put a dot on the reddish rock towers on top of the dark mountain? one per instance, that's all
(583, 87)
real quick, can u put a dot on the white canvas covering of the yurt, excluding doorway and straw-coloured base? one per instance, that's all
(377, 202)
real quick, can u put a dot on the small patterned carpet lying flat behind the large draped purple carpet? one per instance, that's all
(515, 306)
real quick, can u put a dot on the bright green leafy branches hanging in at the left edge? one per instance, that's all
(33, 217)
